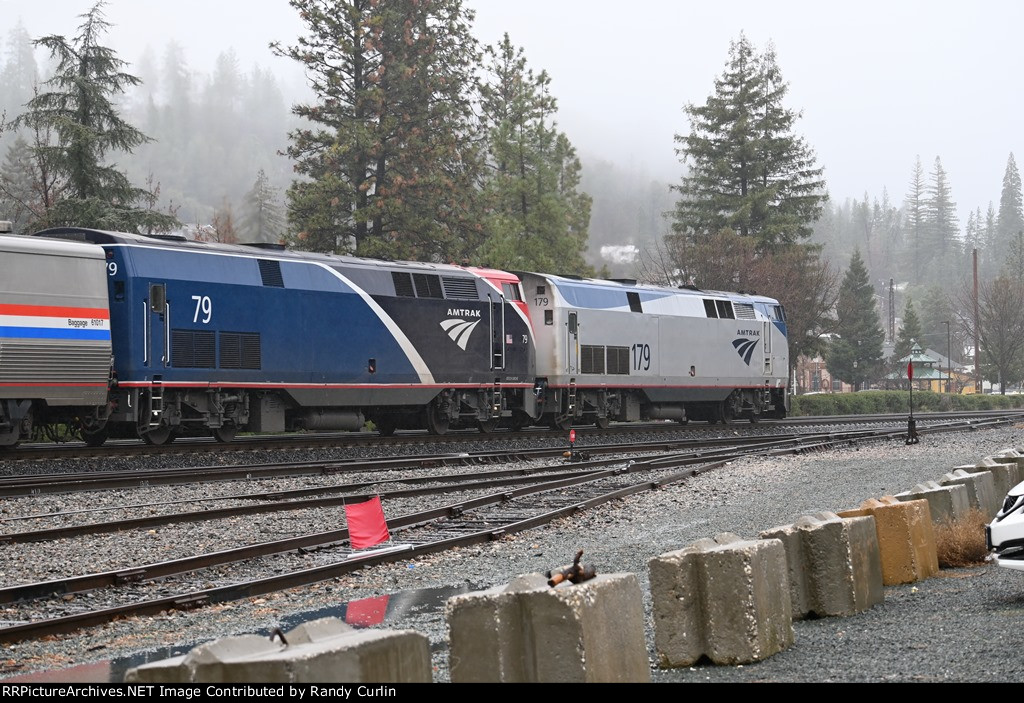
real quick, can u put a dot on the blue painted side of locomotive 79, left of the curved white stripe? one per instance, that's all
(316, 330)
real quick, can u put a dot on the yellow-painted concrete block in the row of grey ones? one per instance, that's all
(907, 539)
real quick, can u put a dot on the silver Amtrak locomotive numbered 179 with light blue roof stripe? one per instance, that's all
(616, 350)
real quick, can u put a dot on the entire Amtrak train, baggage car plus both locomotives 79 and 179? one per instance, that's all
(200, 338)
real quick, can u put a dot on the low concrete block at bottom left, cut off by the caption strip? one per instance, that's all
(321, 651)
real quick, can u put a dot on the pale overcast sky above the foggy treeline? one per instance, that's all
(879, 83)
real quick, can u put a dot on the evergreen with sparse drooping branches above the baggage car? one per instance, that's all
(88, 129)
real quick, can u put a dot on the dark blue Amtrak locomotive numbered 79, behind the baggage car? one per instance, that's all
(217, 338)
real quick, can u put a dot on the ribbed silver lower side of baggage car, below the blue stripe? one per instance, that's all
(38, 363)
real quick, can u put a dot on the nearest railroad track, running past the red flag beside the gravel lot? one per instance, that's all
(494, 507)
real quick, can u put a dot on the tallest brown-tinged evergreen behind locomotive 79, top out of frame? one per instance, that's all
(391, 161)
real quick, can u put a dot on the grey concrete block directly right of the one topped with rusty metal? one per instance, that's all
(726, 599)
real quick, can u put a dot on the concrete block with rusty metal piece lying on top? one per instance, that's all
(530, 633)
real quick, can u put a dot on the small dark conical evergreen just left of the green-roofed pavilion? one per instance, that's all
(856, 357)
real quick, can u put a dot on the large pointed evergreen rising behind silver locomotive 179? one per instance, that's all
(747, 170)
